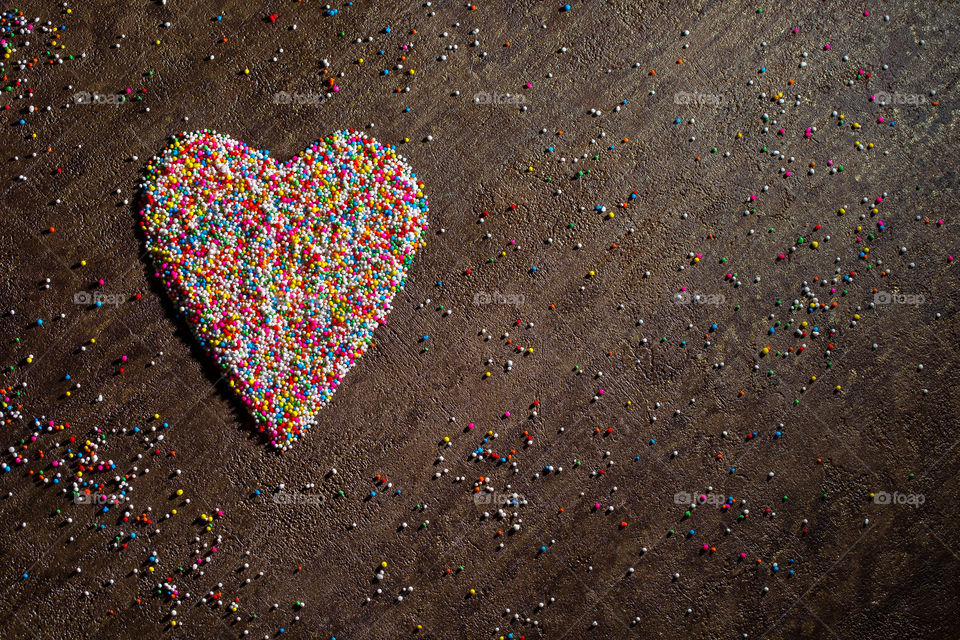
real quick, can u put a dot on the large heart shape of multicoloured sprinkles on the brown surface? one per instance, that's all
(283, 271)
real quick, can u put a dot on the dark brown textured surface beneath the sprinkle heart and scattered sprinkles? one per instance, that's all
(893, 576)
